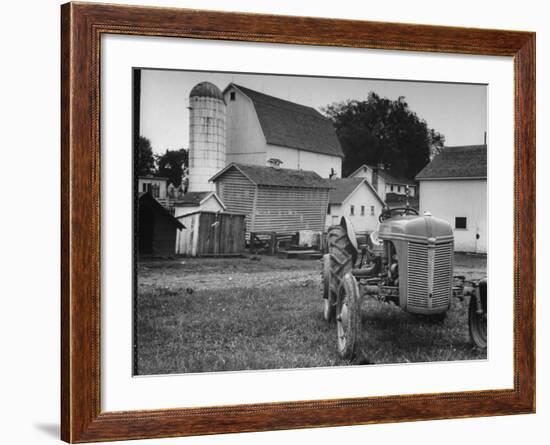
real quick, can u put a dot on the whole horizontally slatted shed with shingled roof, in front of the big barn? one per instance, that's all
(274, 199)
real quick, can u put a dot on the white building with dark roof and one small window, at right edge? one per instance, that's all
(453, 186)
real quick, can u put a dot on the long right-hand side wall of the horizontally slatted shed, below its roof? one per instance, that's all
(285, 210)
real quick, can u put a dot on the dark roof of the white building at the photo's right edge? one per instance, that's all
(457, 163)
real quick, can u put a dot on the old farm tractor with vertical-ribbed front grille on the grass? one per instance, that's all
(408, 261)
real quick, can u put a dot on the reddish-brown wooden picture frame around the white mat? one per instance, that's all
(81, 28)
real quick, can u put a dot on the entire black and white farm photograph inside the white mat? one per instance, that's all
(288, 221)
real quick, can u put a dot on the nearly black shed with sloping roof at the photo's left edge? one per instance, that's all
(156, 228)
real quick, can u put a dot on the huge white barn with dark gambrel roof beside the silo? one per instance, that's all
(260, 127)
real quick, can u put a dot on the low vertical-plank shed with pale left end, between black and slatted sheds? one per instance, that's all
(211, 234)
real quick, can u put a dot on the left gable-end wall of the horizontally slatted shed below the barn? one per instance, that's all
(237, 193)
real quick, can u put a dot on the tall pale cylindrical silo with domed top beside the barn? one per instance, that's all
(206, 135)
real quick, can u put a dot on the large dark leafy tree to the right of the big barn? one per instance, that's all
(380, 130)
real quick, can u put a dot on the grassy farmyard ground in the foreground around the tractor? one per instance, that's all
(204, 315)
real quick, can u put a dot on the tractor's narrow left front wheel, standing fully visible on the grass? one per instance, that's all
(348, 316)
